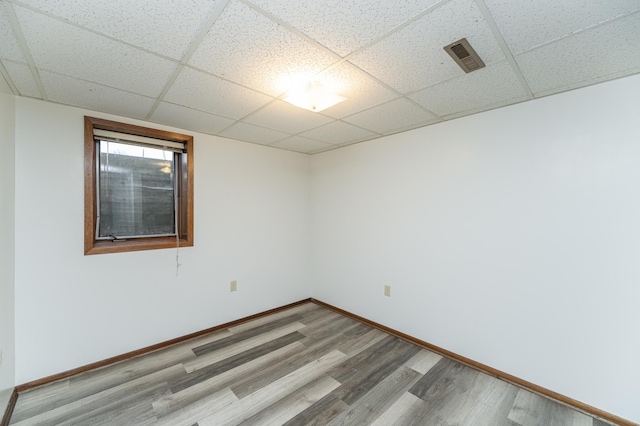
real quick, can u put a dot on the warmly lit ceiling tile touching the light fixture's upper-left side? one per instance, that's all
(246, 47)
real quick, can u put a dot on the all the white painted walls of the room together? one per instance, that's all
(510, 237)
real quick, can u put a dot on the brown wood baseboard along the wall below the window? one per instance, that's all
(146, 350)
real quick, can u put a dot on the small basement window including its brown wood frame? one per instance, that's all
(138, 188)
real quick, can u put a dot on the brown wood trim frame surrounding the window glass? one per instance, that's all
(93, 246)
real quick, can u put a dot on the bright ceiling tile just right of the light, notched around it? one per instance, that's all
(361, 91)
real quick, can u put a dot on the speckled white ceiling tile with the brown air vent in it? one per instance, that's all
(414, 57)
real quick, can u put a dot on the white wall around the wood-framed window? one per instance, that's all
(251, 225)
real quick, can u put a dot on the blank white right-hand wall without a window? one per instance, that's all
(511, 237)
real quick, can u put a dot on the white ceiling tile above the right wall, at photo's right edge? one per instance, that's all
(609, 50)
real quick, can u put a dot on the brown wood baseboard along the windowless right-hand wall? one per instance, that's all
(488, 370)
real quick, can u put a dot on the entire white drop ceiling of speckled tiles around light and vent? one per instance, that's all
(217, 66)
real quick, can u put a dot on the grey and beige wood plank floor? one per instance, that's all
(303, 366)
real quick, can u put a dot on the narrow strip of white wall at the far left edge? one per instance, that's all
(7, 223)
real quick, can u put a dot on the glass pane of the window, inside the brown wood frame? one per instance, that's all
(136, 191)
